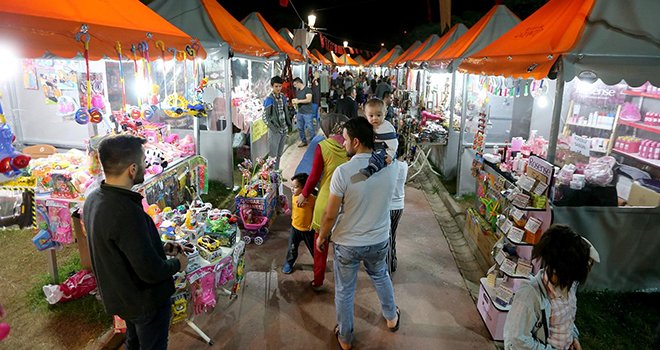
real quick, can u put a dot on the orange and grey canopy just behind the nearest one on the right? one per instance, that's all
(490, 27)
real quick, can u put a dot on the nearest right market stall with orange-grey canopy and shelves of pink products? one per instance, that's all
(602, 137)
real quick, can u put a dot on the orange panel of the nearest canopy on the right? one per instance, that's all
(531, 48)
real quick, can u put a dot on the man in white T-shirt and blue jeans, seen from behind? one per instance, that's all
(358, 213)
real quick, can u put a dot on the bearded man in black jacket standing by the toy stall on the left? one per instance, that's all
(133, 273)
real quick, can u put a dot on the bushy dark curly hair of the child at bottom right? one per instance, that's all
(564, 254)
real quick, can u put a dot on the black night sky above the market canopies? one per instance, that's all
(367, 23)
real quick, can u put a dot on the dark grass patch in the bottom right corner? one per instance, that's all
(608, 320)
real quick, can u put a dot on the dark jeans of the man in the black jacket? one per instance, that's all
(150, 330)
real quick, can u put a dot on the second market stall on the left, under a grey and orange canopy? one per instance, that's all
(235, 100)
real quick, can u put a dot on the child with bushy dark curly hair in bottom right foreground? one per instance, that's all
(543, 311)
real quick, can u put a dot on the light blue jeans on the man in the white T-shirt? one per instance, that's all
(346, 264)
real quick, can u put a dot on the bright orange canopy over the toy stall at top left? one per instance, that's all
(39, 27)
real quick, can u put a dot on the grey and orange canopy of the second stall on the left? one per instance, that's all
(212, 24)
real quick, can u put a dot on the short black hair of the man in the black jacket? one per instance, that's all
(118, 152)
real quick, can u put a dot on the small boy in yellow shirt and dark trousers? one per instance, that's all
(301, 223)
